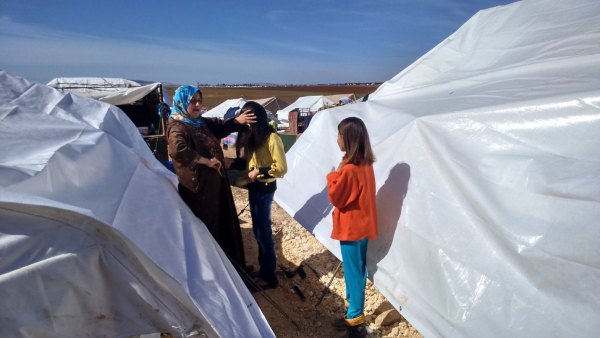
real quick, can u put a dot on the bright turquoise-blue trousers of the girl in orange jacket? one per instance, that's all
(354, 256)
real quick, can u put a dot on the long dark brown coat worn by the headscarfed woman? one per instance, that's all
(206, 190)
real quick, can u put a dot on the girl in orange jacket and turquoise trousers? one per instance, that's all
(351, 190)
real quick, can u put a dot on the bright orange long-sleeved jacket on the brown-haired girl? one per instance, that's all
(351, 190)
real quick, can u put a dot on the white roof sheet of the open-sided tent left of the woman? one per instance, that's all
(110, 90)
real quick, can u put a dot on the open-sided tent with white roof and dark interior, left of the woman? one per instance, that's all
(140, 103)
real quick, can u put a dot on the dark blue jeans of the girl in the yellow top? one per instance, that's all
(260, 209)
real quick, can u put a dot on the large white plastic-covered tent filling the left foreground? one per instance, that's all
(94, 238)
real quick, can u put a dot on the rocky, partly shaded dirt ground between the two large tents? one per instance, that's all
(294, 247)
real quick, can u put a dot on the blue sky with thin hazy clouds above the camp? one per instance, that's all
(223, 41)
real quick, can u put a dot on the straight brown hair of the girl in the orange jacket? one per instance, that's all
(356, 141)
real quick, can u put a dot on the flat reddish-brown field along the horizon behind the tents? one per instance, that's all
(213, 96)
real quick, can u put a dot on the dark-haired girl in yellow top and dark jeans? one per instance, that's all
(264, 153)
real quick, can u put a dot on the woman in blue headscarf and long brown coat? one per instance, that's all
(194, 145)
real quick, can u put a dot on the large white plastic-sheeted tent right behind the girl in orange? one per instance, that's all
(488, 176)
